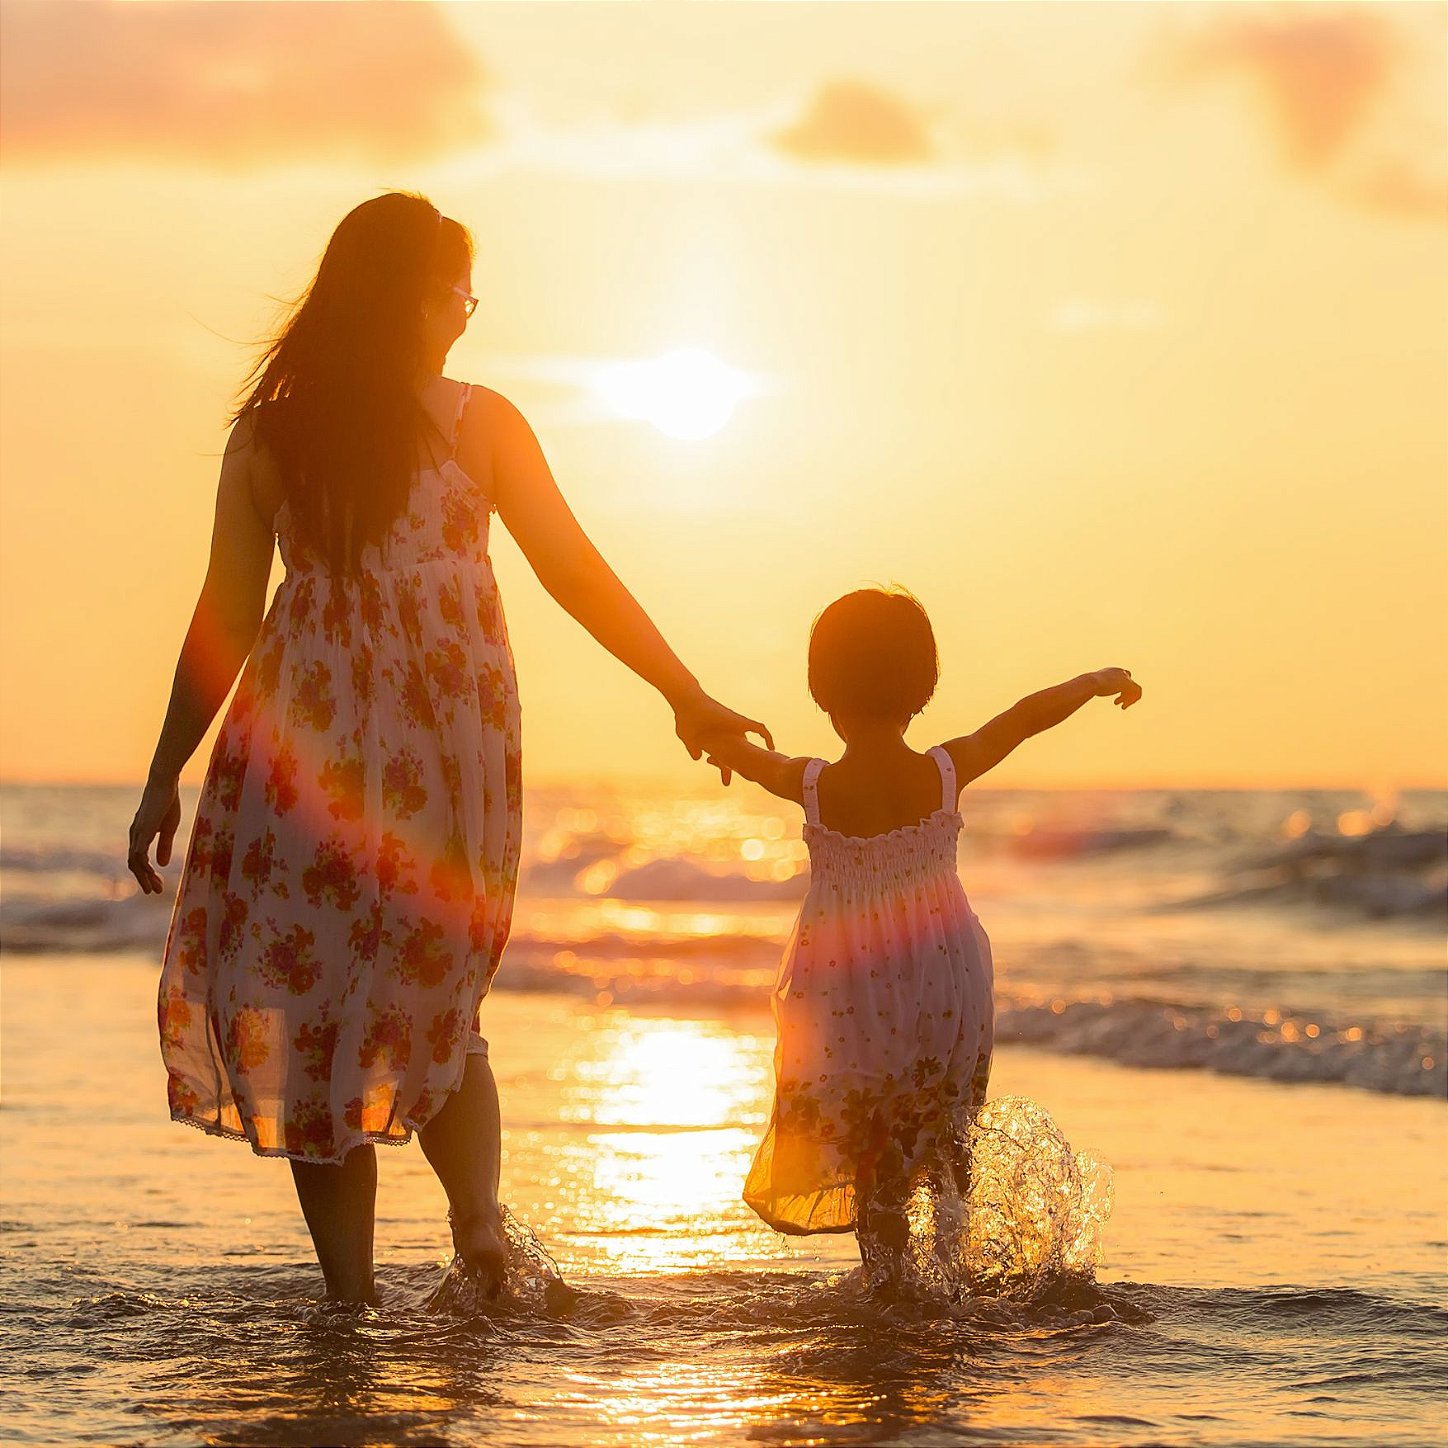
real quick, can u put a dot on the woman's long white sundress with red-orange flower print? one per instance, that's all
(350, 884)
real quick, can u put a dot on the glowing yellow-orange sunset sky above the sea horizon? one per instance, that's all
(1114, 332)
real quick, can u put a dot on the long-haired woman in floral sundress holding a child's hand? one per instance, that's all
(350, 884)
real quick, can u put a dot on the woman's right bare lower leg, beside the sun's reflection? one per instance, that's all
(464, 1145)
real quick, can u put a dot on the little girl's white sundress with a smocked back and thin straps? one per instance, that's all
(885, 1014)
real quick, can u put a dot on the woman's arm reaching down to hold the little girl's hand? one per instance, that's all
(576, 574)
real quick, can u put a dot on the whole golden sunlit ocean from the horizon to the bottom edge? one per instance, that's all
(1234, 998)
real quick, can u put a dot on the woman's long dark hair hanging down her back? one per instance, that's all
(334, 397)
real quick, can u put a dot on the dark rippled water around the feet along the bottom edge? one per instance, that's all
(245, 1356)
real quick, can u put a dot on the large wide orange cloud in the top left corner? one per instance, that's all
(235, 85)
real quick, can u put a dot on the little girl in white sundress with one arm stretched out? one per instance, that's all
(884, 1000)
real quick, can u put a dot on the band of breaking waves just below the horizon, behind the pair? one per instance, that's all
(1288, 936)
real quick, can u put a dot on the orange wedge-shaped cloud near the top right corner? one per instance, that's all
(1318, 73)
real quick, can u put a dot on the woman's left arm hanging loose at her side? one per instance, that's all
(224, 629)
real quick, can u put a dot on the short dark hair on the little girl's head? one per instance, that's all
(872, 655)
